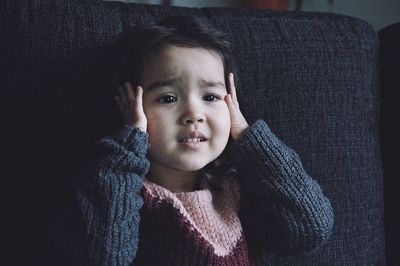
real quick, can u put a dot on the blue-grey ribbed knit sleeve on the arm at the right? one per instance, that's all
(295, 217)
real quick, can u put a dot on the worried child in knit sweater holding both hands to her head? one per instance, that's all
(186, 180)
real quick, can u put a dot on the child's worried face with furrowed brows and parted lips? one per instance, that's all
(184, 90)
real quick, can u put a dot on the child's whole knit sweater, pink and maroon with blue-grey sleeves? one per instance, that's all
(124, 219)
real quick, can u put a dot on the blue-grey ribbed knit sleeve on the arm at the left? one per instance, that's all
(102, 228)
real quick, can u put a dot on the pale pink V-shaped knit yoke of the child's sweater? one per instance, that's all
(212, 215)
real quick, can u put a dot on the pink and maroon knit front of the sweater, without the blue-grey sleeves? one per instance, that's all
(191, 228)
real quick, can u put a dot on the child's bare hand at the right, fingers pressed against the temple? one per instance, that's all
(238, 122)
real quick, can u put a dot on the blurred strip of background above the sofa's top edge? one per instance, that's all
(379, 13)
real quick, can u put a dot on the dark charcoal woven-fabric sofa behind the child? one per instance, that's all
(313, 77)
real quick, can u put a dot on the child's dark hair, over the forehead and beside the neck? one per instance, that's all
(140, 41)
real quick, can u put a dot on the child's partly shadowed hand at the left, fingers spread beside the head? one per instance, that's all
(131, 106)
